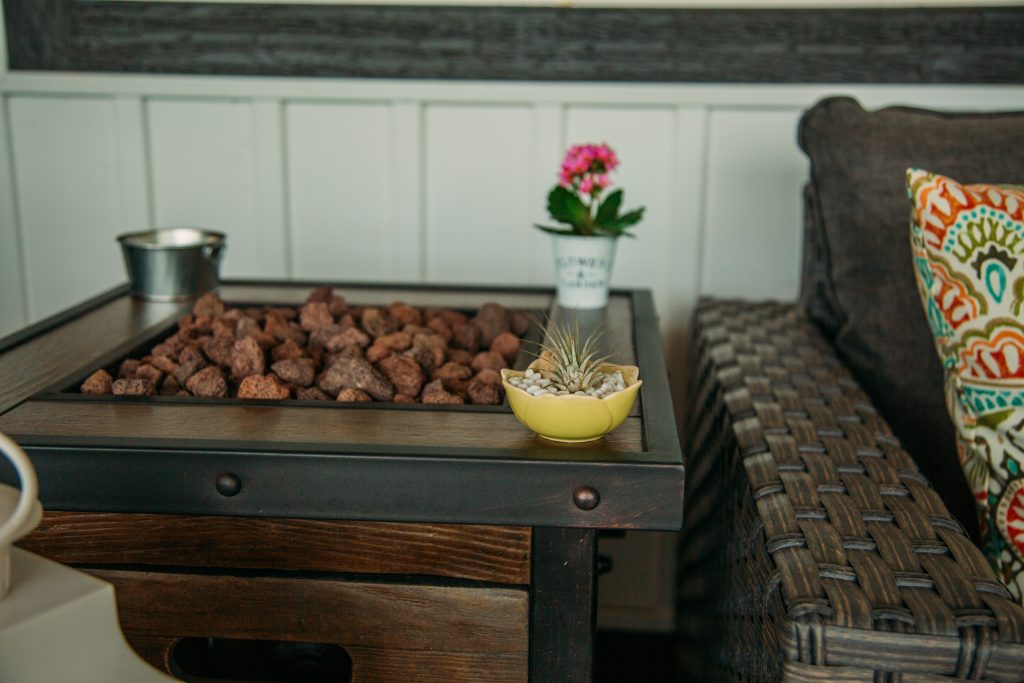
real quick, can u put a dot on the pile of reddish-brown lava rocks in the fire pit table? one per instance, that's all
(327, 351)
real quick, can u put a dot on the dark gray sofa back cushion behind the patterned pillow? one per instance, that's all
(859, 278)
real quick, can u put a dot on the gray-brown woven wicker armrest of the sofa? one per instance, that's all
(814, 549)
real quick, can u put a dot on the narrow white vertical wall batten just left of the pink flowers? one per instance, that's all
(549, 146)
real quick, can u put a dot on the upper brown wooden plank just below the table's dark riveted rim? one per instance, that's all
(498, 554)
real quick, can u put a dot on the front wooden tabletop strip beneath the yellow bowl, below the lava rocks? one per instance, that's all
(200, 424)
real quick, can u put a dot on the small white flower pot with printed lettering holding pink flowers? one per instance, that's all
(583, 270)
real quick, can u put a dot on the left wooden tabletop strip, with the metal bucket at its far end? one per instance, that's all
(37, 364)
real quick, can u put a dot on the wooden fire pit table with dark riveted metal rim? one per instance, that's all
(353, 542)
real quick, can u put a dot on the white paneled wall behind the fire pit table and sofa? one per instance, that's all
(404, 181)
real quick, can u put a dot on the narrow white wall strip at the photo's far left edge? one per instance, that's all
(13, 304)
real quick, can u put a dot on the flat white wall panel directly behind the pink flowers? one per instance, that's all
(645, 141)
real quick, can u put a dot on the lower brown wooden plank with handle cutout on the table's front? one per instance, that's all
(472, 630)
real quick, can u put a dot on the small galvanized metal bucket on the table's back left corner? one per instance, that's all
(174, 264)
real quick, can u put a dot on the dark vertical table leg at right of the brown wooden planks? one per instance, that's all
(564, 606)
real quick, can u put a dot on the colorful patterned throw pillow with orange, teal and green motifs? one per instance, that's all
(968, 245)
